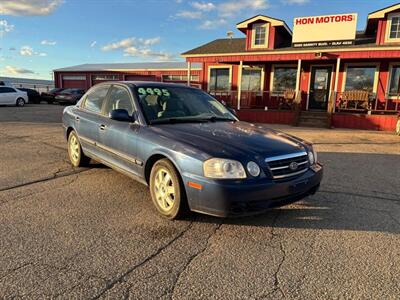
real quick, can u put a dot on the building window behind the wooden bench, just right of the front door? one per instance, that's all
(360, 78)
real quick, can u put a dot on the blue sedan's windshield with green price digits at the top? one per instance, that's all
(174, 104)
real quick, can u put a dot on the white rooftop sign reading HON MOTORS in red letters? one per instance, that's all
(321, 31)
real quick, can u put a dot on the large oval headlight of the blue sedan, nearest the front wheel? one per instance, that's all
(220, 168)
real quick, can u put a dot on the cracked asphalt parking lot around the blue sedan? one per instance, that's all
(93, 233)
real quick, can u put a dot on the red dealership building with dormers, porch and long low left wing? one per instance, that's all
(323, 73)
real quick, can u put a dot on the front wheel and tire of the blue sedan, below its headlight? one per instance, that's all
(167, 190)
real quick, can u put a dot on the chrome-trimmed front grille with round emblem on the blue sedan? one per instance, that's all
(285, 166)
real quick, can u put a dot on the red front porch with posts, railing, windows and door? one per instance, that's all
(364, 94)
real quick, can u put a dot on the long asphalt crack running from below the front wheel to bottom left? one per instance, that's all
(111, 283)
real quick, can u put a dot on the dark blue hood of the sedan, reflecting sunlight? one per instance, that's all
(230, 139)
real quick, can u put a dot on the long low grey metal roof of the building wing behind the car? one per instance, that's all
(130, 66)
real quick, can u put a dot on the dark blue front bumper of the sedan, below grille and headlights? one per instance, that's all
(225, 198)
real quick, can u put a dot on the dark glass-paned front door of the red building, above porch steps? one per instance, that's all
(320, 86)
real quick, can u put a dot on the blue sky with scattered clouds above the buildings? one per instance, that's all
(38, 36)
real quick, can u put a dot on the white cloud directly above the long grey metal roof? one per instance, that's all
(139, 47)
